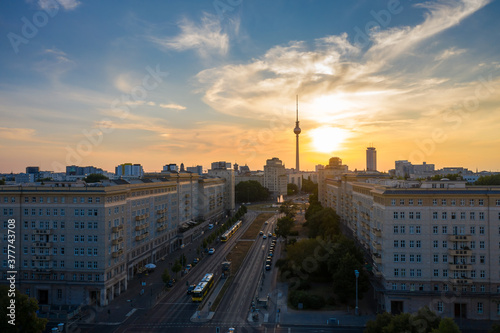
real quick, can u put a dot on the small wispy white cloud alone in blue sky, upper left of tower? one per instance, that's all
(207, 37)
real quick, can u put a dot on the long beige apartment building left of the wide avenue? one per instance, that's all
(81, 244)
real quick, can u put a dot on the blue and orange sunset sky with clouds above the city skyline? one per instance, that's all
(158, 82)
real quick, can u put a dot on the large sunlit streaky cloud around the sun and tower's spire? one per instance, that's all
(339, 81)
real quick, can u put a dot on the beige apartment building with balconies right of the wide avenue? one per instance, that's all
(435, 243)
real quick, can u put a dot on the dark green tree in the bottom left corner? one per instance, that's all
(25, 315)
